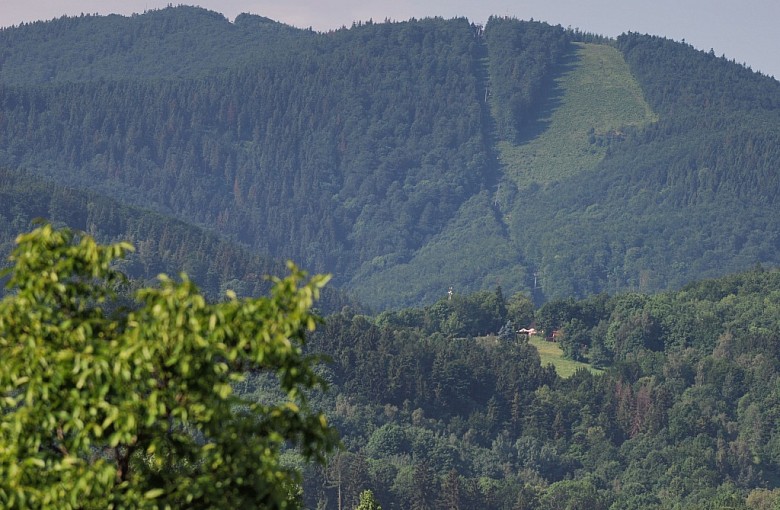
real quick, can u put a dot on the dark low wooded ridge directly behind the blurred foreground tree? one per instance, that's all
(162, 245)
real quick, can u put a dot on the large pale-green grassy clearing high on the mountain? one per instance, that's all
(592, 99)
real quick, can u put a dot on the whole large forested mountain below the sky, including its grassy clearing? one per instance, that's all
(407, 158)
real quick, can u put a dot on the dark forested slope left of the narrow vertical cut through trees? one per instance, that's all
(318, 156)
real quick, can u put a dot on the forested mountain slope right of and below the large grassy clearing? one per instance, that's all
(694, 194)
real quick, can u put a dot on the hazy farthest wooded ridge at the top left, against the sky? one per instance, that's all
(185, 42)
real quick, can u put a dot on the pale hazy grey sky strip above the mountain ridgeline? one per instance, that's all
(744, 30)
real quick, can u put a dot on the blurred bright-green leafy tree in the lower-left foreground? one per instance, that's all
(103, 406)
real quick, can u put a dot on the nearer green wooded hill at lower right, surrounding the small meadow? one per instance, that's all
(683, 416)
